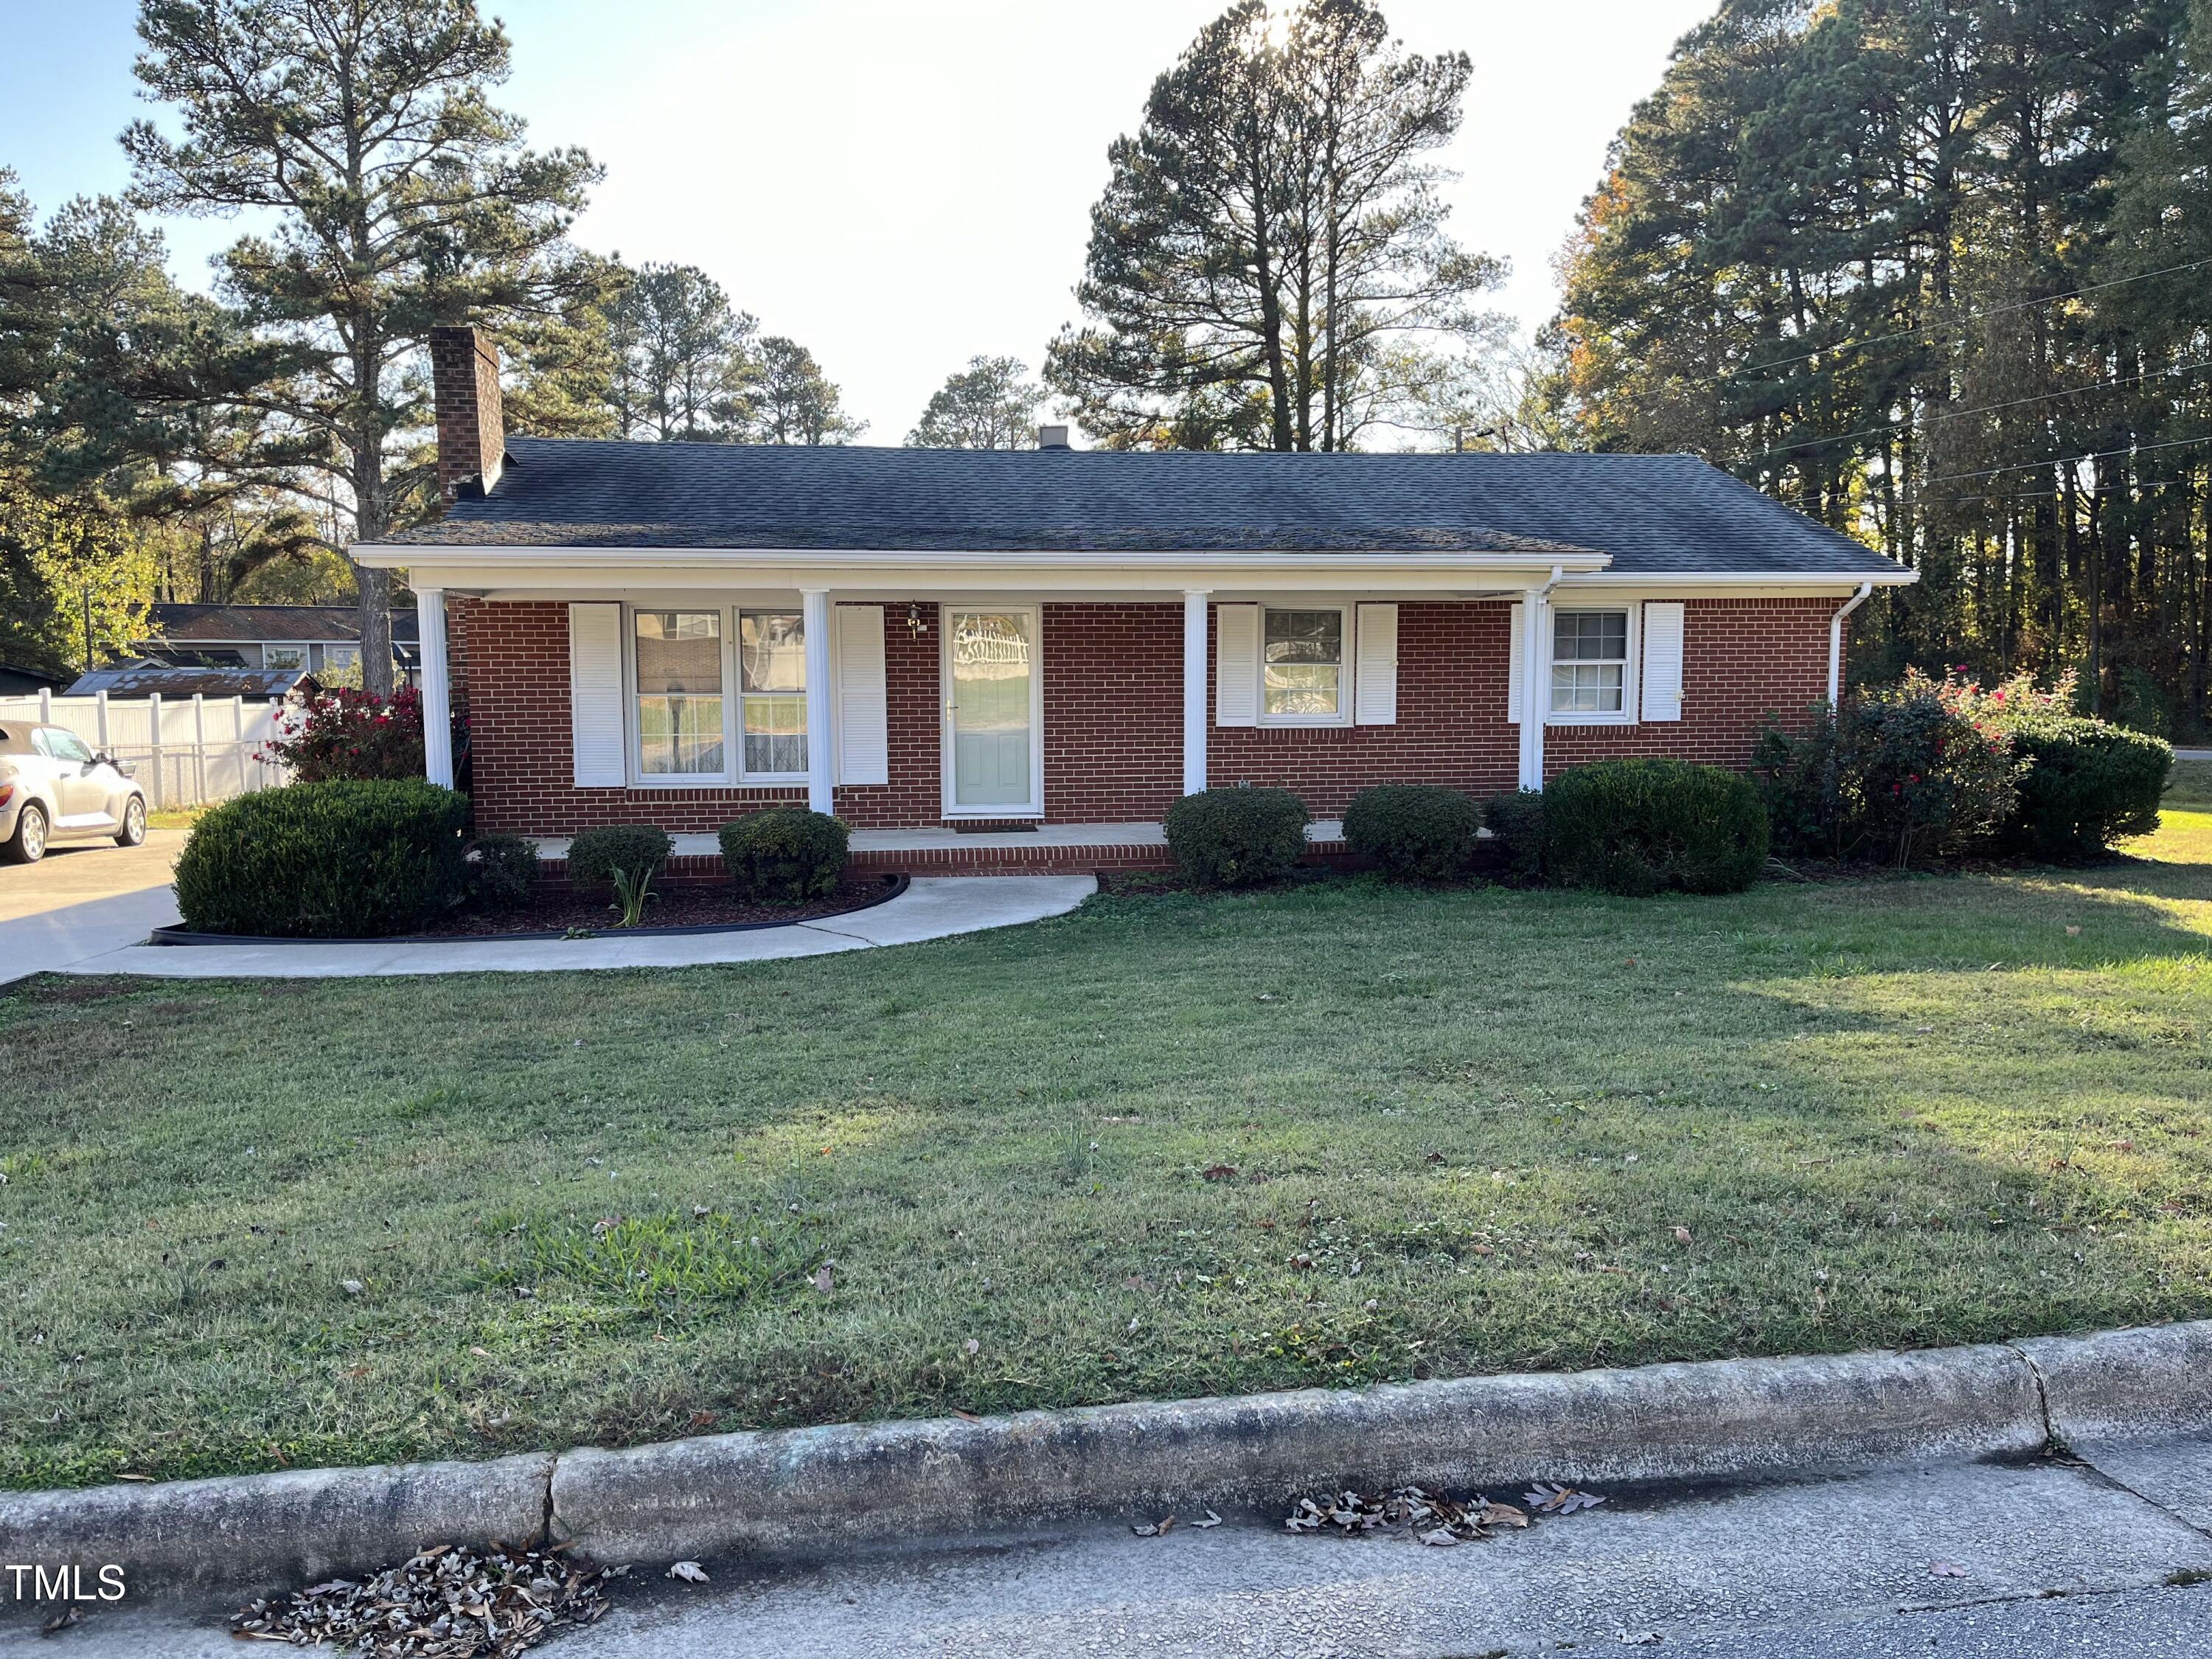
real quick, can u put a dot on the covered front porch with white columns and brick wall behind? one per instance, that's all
(1052, 698)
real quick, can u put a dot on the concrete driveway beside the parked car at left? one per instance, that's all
(85, 899)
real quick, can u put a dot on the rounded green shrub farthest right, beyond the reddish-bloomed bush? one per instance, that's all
(2087, 784)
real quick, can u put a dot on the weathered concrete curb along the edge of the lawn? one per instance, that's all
(804, 1492)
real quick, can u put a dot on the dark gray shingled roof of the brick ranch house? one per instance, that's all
(1662, 514)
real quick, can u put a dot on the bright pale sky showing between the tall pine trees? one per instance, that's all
(901, 185)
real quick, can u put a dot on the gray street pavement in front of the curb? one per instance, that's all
(1968, 1561)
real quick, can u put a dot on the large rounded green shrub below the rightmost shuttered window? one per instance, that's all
(1649, 826)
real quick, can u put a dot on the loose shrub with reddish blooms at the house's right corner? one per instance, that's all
(1901, 773)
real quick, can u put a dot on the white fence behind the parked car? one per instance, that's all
(189, 751)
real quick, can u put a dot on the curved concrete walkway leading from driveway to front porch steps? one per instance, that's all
(930, 908)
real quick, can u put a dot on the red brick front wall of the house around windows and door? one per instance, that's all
(1114, 727)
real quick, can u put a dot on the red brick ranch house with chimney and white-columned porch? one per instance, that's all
(1019, 660)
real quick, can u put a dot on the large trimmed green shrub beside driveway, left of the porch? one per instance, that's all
(344, 859)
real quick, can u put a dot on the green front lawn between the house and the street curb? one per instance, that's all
(1154, 1149)
